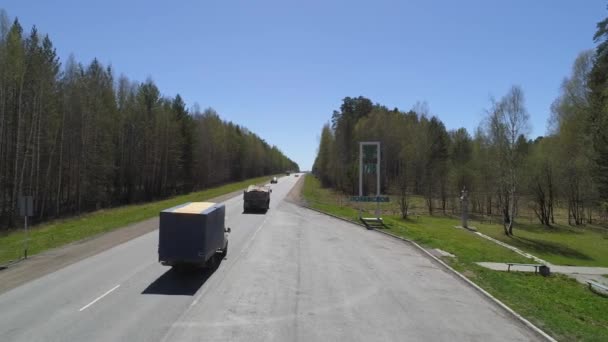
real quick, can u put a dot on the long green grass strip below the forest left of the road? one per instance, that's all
(60, 232)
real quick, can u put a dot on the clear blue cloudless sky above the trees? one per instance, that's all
(280, 67)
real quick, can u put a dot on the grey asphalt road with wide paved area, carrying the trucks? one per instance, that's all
(290, 275)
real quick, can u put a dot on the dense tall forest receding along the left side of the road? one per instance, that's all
(77, 139)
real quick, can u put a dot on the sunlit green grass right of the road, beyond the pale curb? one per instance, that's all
(557, 304)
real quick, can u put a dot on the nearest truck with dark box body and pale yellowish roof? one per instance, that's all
(192, 235)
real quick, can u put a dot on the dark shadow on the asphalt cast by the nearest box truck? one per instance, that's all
(179, 282)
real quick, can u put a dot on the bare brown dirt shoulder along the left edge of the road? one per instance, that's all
(55, 259)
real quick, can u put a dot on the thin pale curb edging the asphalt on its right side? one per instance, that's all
(460, 276)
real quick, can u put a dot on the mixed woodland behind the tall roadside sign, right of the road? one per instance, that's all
(503, 169)
